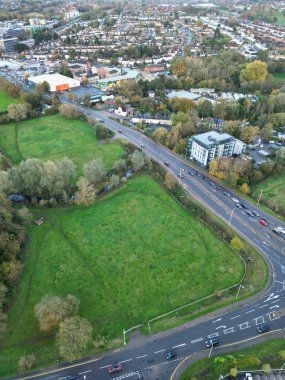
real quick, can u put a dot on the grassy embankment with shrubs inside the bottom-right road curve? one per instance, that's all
(209, 369)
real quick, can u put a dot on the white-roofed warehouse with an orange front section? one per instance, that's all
(57, 82)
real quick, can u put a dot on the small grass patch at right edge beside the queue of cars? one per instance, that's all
(273, 191)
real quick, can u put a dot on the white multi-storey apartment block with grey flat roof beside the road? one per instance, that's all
(205, 147)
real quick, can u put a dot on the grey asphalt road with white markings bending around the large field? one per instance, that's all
(144, 358)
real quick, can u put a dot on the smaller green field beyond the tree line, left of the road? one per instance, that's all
(54, 137)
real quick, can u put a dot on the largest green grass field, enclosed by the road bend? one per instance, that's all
(128, 258)
